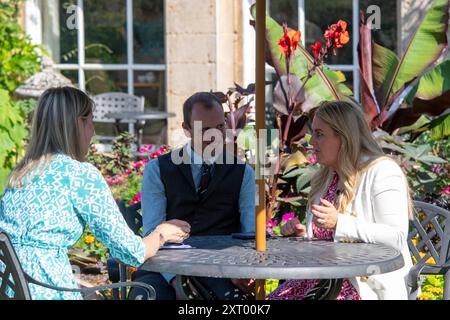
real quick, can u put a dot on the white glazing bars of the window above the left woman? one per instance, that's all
(130, 66)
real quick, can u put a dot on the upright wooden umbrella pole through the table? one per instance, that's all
(260, 124)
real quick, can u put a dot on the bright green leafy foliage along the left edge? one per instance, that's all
(19, 59)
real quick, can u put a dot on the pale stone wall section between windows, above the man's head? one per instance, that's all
(202, 53)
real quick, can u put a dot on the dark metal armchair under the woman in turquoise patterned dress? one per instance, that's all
(14, 281)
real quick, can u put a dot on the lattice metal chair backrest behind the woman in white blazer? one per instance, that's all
(430, 237)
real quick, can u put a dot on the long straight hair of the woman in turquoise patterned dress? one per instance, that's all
(54, 130)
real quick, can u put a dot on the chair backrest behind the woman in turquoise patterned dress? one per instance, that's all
(13, 285)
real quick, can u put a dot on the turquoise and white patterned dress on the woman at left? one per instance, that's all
(47, 216)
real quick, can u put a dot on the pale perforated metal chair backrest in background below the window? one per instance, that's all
(115, 102)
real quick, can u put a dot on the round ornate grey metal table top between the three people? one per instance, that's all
(285, 258)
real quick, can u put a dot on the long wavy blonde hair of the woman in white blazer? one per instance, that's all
(348, 122)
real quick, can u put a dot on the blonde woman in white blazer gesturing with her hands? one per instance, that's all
(372, 202)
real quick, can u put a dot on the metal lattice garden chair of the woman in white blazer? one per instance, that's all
(430, 238)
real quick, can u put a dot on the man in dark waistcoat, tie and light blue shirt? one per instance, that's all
(203, 185)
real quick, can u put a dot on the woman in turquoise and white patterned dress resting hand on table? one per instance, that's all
(52, 195)
